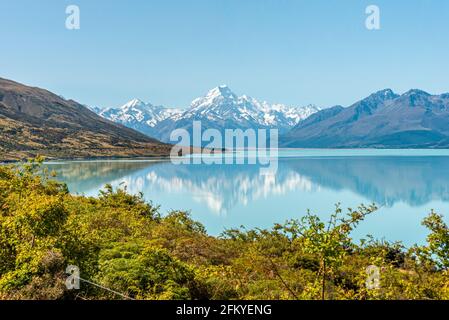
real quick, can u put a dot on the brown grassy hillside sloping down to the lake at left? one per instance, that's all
(34, 121)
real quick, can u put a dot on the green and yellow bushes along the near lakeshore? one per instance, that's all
(122, 243)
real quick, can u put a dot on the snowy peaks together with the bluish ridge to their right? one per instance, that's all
(415, 119)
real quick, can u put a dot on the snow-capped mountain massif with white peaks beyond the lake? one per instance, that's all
(220, 108)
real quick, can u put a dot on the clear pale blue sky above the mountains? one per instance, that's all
(171, 51)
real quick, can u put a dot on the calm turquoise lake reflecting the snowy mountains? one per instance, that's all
(405, 184)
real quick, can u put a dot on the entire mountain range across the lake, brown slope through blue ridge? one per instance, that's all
(35, 121)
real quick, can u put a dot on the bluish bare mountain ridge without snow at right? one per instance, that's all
(415, 119)
